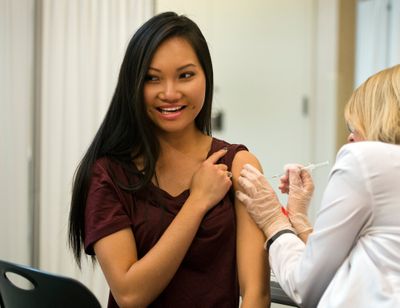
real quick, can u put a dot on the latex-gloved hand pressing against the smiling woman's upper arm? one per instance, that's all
(261, 202)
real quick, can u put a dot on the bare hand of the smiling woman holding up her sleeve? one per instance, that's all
(211, 181)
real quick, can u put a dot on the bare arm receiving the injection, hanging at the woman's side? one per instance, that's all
(252, 259)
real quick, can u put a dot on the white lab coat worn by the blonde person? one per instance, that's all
(352, 259)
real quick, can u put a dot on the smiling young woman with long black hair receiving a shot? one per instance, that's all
(152, 198)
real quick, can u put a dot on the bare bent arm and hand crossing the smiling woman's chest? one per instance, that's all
(136, 283)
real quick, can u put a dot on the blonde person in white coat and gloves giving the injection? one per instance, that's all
(351, 256)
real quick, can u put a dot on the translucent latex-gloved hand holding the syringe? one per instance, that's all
(300, 189)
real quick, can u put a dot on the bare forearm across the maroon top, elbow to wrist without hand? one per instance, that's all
(143, 280)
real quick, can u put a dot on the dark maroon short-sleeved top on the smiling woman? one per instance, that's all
(207, 276)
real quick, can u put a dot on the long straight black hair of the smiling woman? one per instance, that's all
(127, 132)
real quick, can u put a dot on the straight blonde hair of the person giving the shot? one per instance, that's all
(374, 108)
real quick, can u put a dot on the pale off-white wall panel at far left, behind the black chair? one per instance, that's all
(16, 103)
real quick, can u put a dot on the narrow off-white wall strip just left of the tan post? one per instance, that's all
(325, 89)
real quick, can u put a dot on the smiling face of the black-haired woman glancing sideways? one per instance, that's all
(175, 86)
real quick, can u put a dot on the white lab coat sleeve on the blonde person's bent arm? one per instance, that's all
(305, 271)
